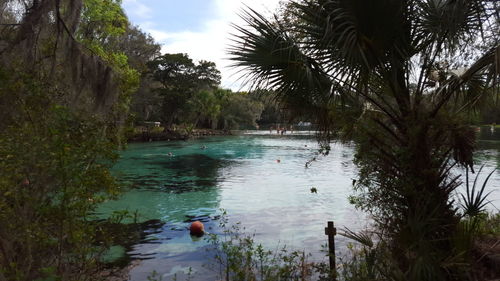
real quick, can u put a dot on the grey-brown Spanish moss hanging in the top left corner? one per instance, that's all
(40, 39)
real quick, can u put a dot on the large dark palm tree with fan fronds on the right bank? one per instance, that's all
(399, 77)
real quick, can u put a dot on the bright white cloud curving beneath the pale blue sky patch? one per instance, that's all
(213, 39)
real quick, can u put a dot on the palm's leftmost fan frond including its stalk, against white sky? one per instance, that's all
(269, 57)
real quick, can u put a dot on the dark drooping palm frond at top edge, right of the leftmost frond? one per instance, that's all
(352, 37)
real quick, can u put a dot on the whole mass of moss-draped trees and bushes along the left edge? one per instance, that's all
(63, 95)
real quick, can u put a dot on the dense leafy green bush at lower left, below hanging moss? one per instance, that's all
(54, 173)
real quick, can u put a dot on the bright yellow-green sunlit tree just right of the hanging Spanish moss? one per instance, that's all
(102, 24)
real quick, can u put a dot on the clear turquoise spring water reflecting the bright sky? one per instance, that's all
(241, 174)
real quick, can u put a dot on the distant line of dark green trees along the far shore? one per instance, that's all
(179, 92)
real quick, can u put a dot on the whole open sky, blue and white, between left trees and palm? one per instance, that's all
(200, 28)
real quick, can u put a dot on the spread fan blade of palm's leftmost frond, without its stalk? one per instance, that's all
(269, 58)
